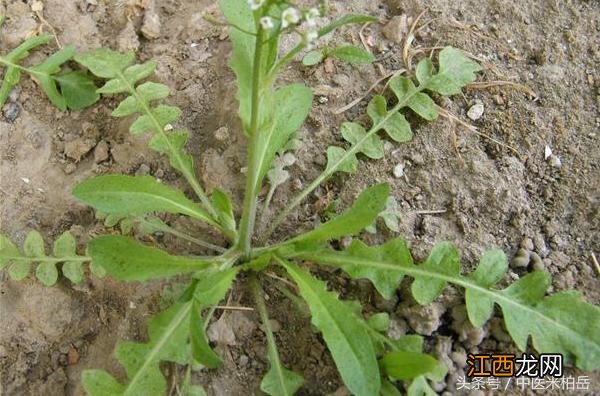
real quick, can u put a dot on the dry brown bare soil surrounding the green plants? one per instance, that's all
(483, 194)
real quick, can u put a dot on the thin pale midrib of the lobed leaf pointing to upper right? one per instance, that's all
(334, 167)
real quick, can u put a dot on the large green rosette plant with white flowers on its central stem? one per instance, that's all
(369, 362)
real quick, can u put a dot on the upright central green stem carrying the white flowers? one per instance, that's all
(252, 175)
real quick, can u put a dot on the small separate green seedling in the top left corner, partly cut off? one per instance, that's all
(73, 90)
